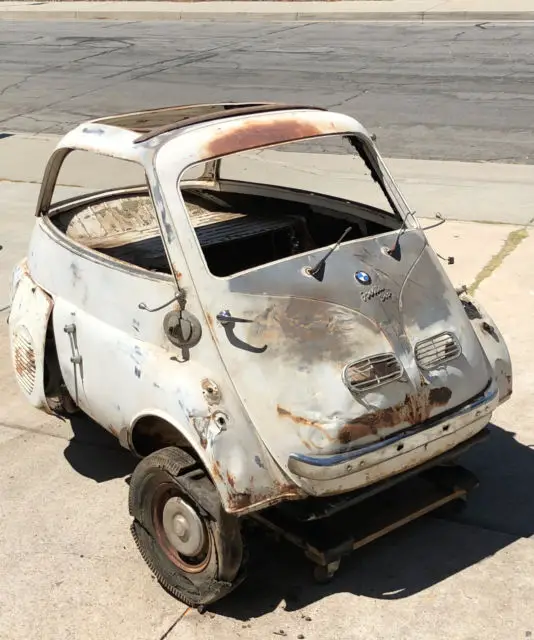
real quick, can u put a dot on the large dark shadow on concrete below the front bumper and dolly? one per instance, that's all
(411, 559)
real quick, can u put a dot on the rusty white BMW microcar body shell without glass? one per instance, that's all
(272, 421)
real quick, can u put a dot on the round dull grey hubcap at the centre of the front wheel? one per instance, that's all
(183, 527)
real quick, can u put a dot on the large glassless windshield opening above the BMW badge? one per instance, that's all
(284, 200)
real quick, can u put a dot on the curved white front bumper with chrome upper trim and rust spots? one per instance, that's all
(329, 474)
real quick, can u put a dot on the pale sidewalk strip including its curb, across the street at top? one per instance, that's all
(342, 10)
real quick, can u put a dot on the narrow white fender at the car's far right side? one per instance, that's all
(492, 342)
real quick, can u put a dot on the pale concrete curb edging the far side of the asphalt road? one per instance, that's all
(273, 16)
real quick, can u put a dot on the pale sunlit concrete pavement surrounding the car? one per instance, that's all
(69, 568)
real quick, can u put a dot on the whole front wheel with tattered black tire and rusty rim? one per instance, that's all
(193, 547)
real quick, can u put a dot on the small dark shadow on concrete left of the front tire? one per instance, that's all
(95, 453)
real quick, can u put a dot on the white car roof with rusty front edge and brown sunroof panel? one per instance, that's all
(227, 126)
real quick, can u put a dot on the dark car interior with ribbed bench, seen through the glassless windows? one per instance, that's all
(236, 230)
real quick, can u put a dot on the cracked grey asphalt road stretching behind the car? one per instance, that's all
(454, 92)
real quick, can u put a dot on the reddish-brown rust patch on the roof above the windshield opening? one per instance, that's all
(252, 134)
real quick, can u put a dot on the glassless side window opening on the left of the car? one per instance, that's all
(122, 225)
